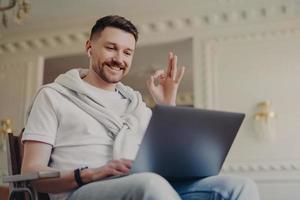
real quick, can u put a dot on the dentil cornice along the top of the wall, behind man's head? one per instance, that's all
(231, 15)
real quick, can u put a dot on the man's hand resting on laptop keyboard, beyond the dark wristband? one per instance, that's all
(112, 168)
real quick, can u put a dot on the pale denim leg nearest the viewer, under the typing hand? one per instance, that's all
(142, 186)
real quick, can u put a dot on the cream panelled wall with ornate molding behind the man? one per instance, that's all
(242, 54)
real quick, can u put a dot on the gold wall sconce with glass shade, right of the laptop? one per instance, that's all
(265, 121)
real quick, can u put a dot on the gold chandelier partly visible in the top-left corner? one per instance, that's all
(22, 6)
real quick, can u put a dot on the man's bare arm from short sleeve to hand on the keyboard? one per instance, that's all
(36, 158)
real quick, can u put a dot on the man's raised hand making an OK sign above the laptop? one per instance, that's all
(163, 84)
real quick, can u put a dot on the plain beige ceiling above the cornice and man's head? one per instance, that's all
(57, 14)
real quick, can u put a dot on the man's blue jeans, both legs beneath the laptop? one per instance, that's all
(150, 186)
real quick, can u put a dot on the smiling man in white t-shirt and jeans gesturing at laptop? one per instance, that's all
(74, 125)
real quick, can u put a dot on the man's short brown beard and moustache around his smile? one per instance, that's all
(103, 70)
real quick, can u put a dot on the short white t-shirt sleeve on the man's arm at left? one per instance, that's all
(42, 122)
